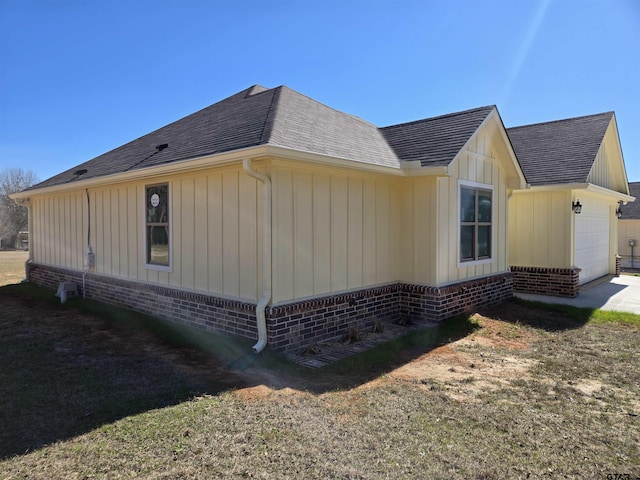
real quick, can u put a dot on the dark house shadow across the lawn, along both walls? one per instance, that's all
(68, 369)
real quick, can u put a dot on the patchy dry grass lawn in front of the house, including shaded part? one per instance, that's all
(509, 392)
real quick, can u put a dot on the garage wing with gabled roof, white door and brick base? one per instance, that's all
(563, 228)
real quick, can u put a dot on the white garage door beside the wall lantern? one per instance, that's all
(592, 241)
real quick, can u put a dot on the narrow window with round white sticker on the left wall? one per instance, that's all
(157, 225)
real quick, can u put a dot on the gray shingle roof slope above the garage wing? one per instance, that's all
(562, 151)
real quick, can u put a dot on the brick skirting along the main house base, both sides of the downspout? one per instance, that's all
(292, 325)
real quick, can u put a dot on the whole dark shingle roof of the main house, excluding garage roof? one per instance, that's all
(285, 118)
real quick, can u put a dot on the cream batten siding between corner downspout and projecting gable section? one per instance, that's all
(333, 230)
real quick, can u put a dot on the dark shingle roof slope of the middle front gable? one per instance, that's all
(435, 141)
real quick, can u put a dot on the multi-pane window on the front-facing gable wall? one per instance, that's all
(475, 223)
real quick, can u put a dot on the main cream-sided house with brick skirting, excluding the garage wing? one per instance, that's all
(269, 215)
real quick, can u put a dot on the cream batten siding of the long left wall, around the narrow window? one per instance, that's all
(214, 231)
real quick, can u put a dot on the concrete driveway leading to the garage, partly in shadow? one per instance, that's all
(608, 293)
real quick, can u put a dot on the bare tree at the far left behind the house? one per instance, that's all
(13, 217)
